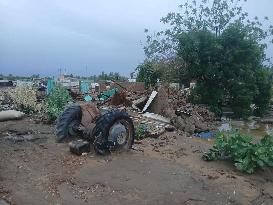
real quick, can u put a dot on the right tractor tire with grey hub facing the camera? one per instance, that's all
(113, 131)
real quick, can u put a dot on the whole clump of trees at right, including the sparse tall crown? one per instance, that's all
(217, 45)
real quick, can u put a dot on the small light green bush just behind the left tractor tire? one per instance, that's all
(56, 101)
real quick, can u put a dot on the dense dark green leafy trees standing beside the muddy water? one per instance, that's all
(228, 68)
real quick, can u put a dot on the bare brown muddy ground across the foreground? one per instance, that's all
(168, 170)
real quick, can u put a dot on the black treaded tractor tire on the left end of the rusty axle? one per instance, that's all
(68, 123)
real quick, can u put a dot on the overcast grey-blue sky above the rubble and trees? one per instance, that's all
(42, 36)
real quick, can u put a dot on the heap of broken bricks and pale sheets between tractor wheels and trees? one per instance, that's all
(148, 110)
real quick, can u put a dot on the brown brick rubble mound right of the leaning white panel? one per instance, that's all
(184, 116)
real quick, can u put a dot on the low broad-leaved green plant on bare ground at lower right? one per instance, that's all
(246, 155)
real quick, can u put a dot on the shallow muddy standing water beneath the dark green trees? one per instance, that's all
(250, 127)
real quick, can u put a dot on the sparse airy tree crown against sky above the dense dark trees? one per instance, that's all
(195, 15)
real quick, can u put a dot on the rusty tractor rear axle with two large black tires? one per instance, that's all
(112, 130)
